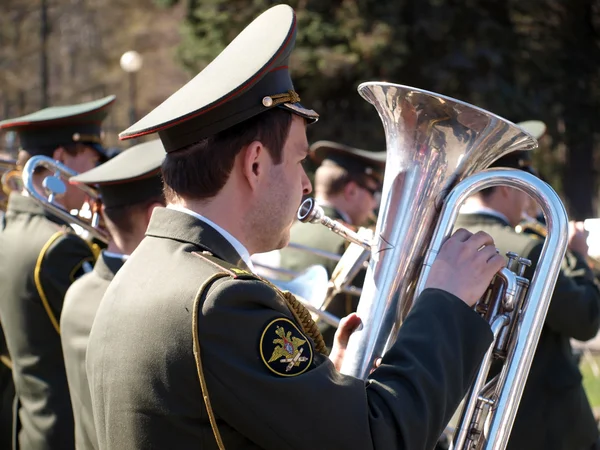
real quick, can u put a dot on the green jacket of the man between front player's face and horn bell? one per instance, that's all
(321, 238)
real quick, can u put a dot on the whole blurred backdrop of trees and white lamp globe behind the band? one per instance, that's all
(523, 60)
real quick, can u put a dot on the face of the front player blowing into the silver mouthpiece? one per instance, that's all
(284, 188)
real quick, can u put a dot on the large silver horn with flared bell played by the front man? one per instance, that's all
(437, 150)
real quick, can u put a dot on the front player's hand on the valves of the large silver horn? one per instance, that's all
(466, 265)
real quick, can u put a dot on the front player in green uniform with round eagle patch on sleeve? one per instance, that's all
(190, 349)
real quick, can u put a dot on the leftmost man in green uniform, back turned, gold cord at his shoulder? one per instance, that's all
(40, 256)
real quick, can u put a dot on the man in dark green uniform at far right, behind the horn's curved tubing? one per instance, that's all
(554, 412)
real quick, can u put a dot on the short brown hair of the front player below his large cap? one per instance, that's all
(200, 170)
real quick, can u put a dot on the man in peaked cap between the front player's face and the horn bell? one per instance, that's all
(347, 186)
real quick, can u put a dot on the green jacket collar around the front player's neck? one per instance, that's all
(179, 226)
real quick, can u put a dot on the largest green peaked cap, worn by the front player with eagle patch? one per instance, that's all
(248, 77)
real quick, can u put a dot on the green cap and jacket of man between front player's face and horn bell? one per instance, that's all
(358, 163)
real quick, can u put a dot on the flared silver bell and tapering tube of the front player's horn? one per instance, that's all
(433, 142)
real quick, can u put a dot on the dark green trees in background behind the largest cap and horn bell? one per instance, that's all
(521, 60)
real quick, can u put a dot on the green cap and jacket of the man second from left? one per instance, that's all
(128, 179)
